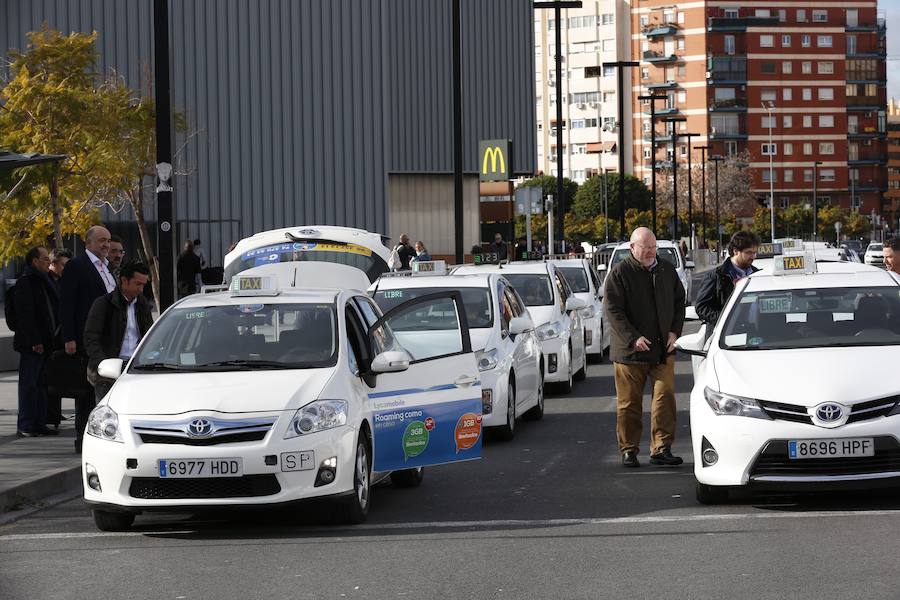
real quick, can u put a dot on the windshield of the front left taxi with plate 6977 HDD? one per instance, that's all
(245, 336)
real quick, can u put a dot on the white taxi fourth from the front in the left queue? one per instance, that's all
(585, 284)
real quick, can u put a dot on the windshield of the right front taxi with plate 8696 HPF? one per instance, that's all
(814, 318)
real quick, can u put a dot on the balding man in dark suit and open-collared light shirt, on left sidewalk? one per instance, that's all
(85, 278)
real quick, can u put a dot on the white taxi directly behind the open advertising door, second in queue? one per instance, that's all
(506, 348)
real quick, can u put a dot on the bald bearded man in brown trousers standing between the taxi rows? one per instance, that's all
(644, 302)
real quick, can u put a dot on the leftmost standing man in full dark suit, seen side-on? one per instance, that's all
(37, 333)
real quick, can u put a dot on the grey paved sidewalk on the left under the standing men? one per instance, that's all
(32, 469)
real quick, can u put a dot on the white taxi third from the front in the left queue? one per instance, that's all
(554, 309)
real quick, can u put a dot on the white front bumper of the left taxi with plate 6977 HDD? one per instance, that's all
(129, 475)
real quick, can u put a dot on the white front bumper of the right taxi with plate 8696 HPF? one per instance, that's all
(753, 452)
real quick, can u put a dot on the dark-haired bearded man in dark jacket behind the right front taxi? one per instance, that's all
(718, 284)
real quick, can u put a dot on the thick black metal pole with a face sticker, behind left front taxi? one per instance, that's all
(165, 221)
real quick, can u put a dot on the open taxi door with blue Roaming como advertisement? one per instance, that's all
(426, 401)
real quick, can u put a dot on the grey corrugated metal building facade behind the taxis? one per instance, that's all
(317, 111)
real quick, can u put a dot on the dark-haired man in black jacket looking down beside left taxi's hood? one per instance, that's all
(117, 322)
